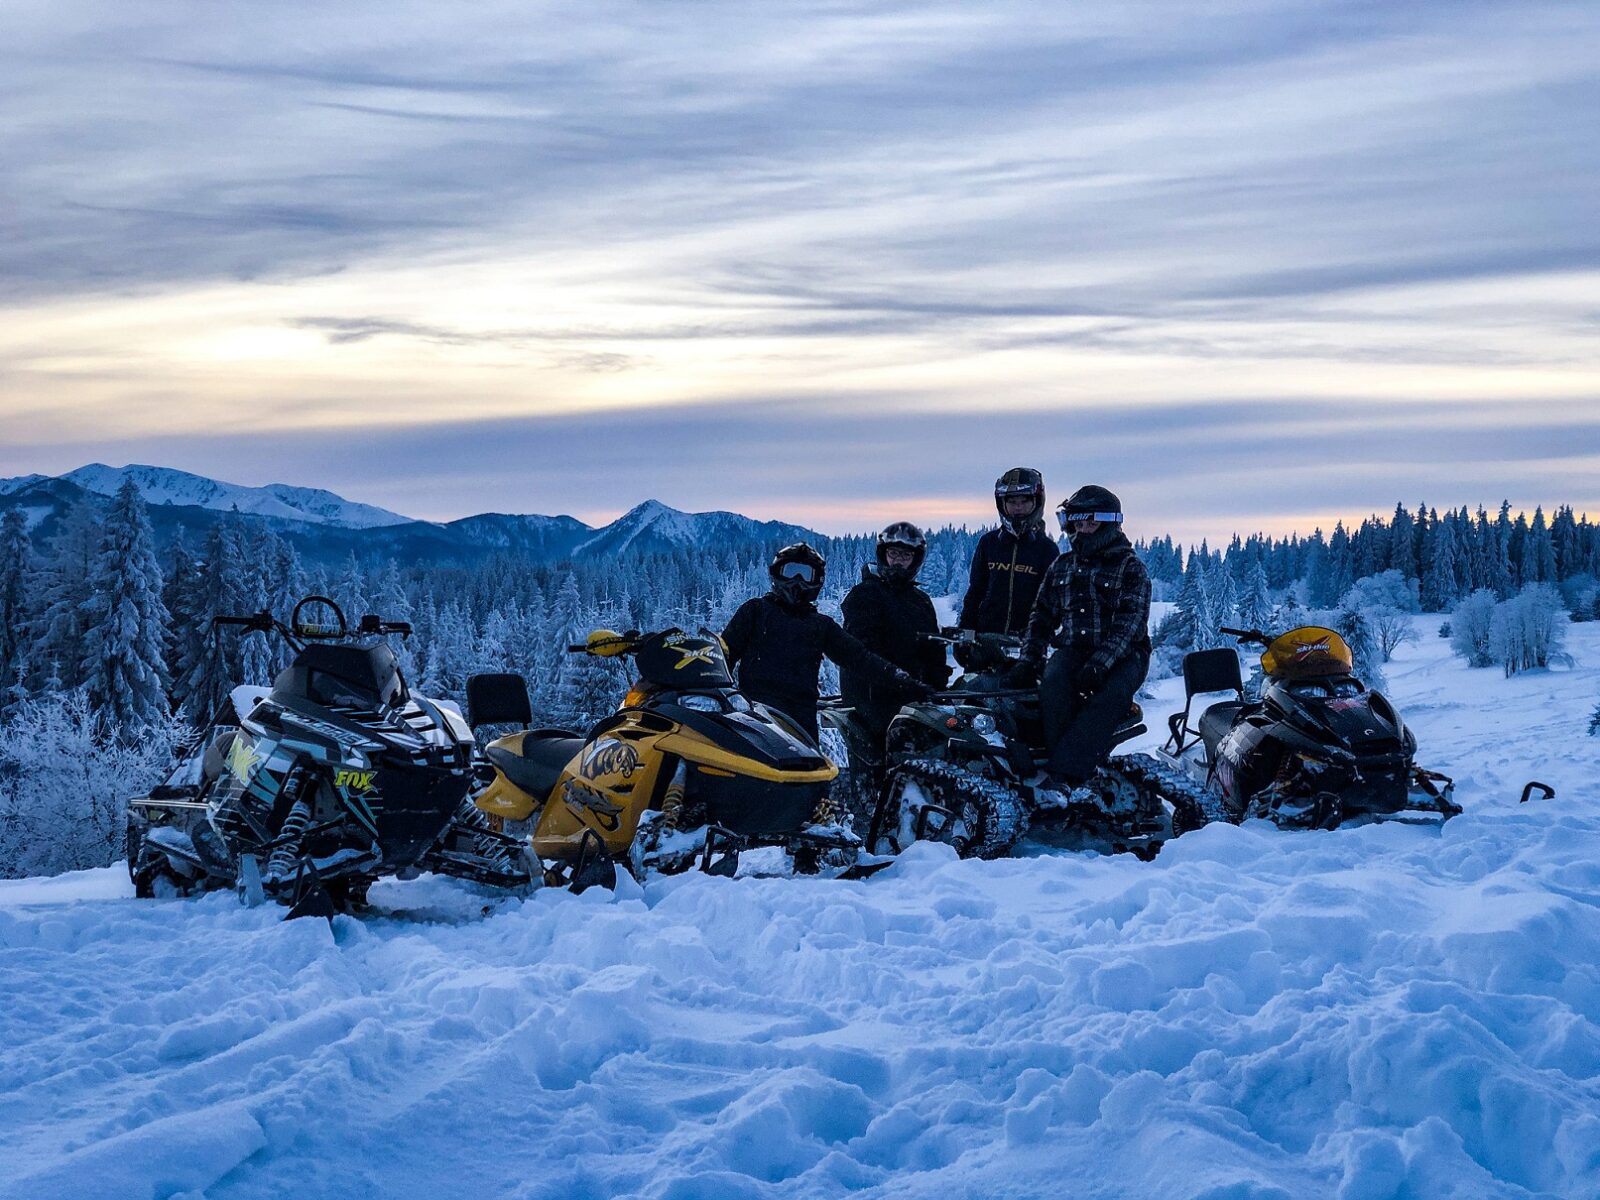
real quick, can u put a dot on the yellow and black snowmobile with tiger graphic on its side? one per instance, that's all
(687, 770)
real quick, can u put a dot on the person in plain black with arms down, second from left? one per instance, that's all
(889, 612)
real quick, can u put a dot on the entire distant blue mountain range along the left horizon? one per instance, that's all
(327, 527)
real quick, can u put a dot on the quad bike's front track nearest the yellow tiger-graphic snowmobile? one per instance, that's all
(986, 817)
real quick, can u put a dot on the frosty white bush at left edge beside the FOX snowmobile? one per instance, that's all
(66, 780)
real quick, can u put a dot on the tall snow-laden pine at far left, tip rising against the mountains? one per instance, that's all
(124, 646)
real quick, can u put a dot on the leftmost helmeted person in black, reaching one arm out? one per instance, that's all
(778, 642)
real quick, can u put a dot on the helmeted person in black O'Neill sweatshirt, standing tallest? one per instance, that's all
(1010, 561)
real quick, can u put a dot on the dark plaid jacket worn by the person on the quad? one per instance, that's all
(1097, 606)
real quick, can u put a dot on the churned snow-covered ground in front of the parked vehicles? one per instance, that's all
(1367, 1014)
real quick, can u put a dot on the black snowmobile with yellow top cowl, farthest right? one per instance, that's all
(1319, 748)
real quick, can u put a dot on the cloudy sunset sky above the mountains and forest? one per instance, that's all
(1254, 266)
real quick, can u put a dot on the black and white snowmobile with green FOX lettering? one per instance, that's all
(308, 791)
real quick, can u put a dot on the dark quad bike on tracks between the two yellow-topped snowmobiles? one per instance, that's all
(966, 767)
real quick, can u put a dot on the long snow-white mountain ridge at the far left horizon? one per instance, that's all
(166, 486)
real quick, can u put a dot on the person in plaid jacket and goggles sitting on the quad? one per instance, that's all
(1095, 609)
